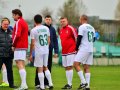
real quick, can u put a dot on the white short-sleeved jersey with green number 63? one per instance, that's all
(40, 34)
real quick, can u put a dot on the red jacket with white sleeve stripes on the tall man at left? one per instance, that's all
(20, 34)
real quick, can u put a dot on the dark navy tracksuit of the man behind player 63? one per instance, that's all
(53, 45)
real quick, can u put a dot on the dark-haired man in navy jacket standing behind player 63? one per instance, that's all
(53, 45)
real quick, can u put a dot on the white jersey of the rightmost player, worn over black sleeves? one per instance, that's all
(88, 34)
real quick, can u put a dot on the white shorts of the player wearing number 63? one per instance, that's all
(41, 60)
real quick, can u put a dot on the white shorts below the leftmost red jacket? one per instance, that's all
(20, 55)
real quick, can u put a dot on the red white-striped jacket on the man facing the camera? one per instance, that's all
(68, 36)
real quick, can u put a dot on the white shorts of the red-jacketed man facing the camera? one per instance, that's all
(68, 60)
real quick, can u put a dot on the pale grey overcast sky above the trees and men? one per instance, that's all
(103, 8)
